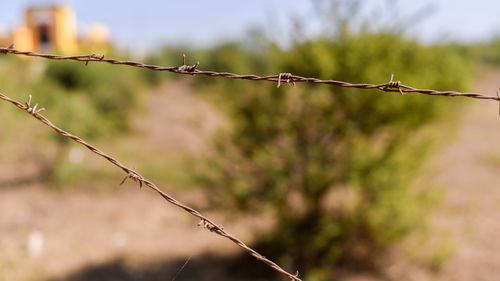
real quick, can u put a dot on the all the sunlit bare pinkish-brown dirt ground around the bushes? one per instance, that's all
(133, 235)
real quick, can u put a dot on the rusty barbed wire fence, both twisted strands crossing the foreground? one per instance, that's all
(391, 86)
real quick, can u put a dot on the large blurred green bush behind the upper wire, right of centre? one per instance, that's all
(334, 166)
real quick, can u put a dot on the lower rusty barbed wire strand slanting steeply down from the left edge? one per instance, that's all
(132, 174)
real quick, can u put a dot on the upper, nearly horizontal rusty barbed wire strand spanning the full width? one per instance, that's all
(391, 86)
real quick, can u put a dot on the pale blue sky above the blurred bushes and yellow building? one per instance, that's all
(147, 23)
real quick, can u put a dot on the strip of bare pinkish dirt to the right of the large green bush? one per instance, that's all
(471, 178)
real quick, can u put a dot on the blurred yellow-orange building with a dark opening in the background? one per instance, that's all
(51, 28)
